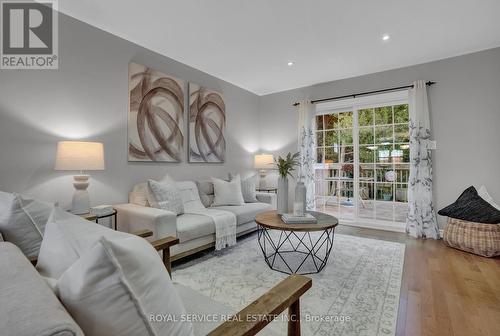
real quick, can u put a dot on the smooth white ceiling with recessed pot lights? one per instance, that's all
(249, 42)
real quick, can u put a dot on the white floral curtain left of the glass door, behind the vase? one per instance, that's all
(307, 150)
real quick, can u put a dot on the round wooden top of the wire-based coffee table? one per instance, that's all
(271, 220)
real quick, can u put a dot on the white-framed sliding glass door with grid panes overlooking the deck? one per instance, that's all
(362, 164)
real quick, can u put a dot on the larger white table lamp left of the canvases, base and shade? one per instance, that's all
(80, 156)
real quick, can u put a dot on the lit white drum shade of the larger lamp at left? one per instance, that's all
(79, 155)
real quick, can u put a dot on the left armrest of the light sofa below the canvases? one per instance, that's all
(133, 218)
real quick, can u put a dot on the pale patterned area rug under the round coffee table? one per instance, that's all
(357, 293)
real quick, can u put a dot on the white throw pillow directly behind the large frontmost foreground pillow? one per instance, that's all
(67, 237)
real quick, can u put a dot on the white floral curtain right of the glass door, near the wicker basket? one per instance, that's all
(421, 220)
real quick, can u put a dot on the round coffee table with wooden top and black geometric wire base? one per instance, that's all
(295, 248)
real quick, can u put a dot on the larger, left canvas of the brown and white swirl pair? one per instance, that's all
(155, 116)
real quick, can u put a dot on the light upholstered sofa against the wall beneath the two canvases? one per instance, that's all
(195, 232)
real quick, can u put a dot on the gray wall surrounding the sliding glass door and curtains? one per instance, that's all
(465, 118)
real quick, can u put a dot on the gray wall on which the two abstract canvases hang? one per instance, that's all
(87, 99)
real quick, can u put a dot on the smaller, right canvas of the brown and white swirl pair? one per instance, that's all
(207, 124)
